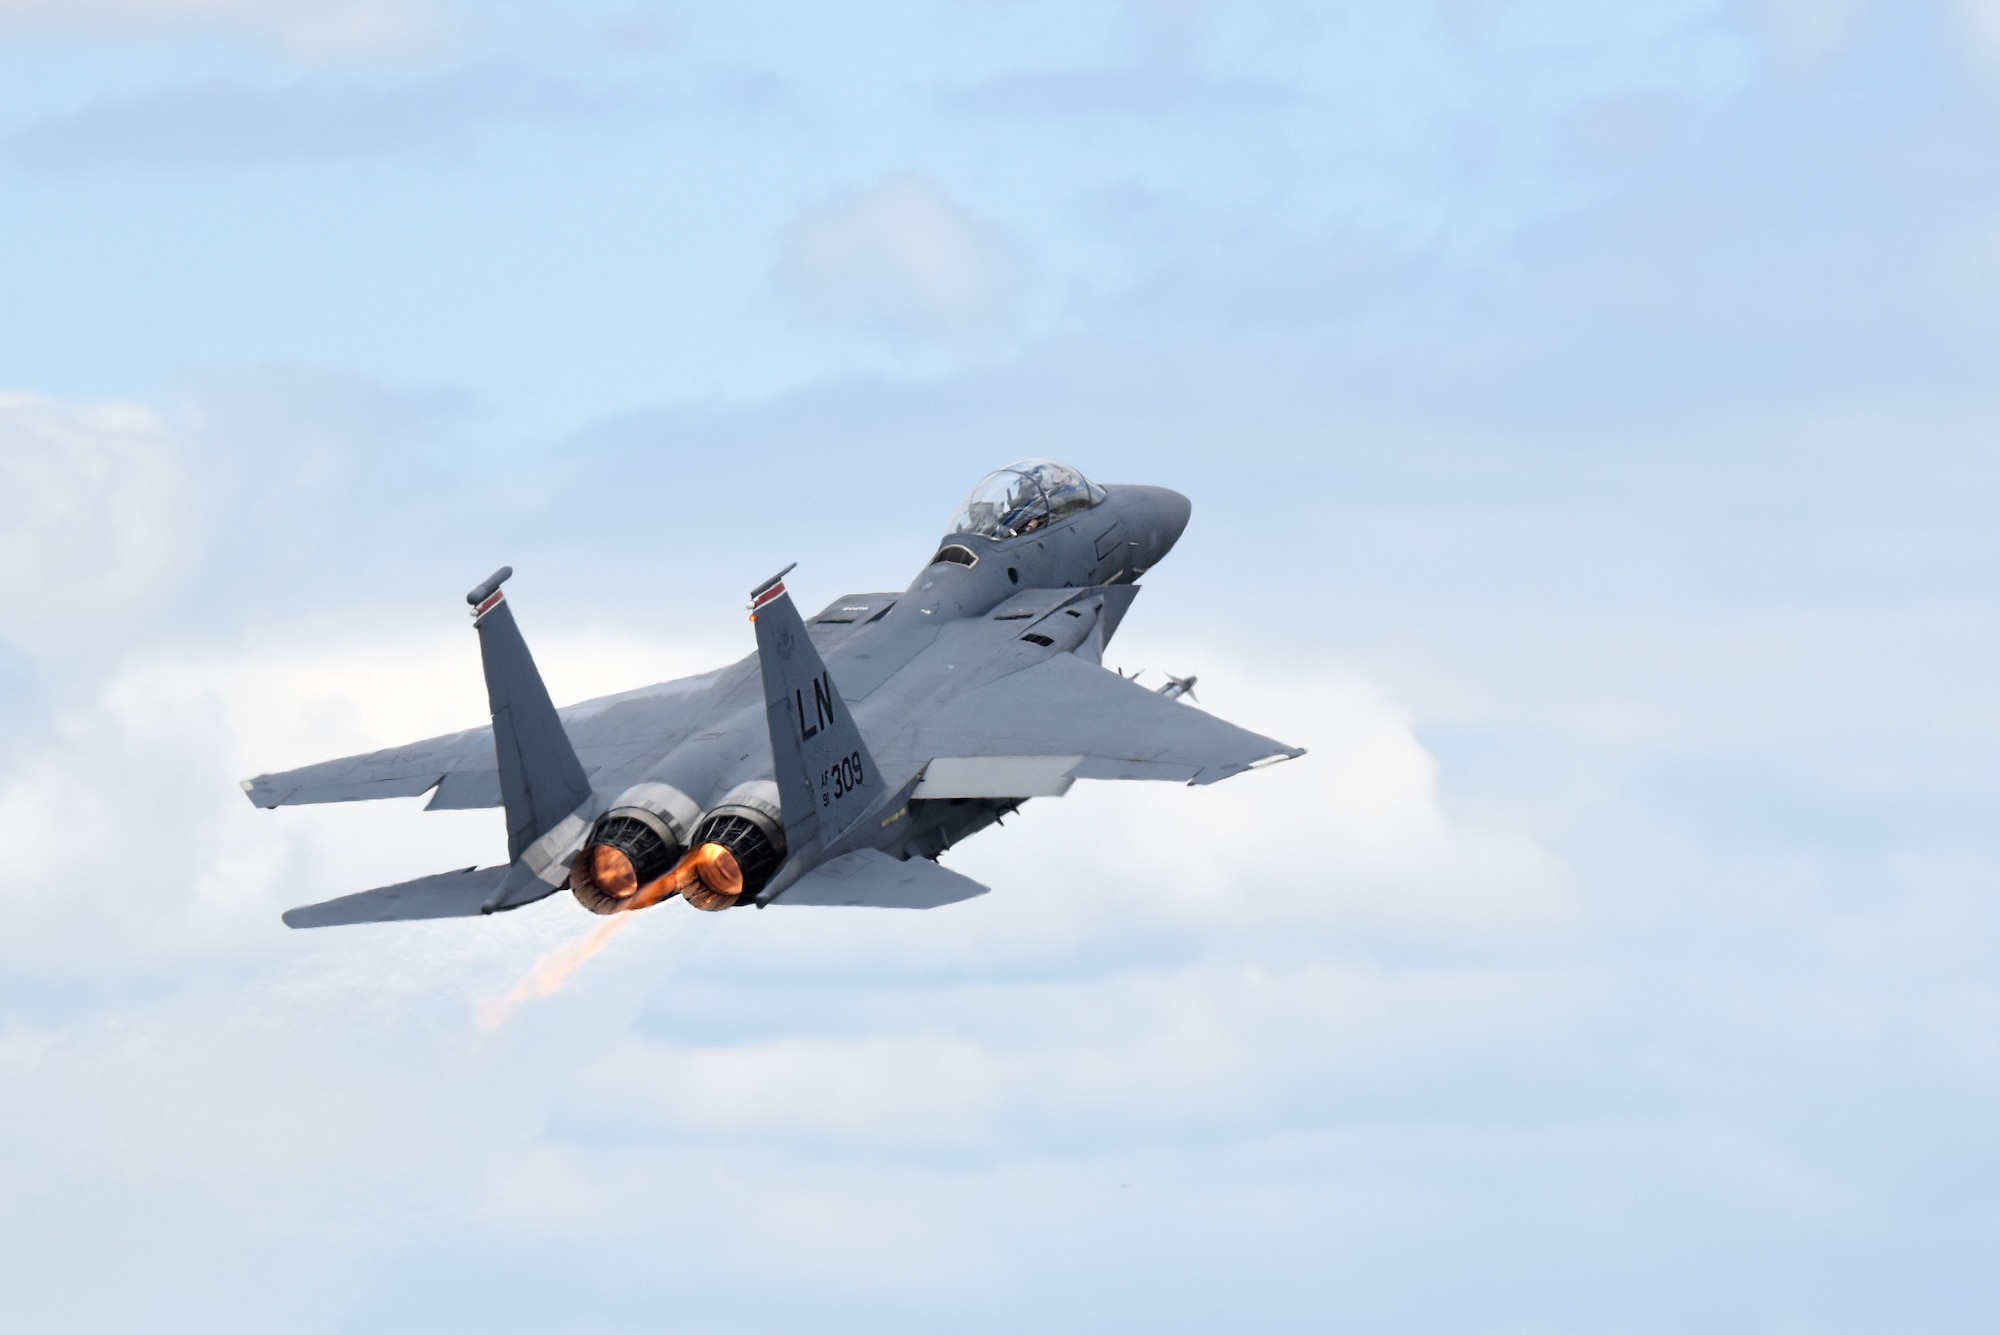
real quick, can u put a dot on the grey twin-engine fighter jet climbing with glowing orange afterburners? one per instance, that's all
(839, 760)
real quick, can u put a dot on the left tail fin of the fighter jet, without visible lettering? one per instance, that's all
(541, 778)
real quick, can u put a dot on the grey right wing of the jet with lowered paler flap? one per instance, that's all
(1083, 720)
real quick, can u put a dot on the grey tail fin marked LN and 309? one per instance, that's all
(827, 778)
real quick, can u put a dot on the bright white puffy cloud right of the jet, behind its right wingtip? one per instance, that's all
(1349, 838)
